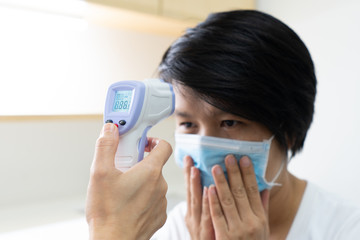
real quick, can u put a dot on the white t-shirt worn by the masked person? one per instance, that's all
(321, 215)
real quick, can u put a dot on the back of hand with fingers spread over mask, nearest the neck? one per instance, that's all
(237, 209)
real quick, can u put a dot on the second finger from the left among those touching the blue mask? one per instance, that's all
(195, 191)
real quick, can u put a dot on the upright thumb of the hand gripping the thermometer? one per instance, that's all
(106, 146)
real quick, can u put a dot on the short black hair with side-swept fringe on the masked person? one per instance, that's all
(250, 64)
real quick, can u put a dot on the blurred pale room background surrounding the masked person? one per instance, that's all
(58, 57)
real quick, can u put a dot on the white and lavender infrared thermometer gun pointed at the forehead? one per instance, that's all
(135, 107)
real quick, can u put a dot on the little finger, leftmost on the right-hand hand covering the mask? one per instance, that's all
(217, 216)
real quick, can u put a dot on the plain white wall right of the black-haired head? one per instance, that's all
(331, 31)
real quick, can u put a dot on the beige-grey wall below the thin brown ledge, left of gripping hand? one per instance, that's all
(45, 159)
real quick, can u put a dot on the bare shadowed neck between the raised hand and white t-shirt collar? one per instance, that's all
(284, 203)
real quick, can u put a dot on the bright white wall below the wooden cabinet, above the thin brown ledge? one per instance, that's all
(60, 64)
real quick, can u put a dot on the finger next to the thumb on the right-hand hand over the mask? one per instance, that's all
(251, 186)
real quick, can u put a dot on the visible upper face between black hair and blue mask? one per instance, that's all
(195, 116)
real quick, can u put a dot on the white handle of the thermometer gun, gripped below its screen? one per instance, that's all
(127, 155)
